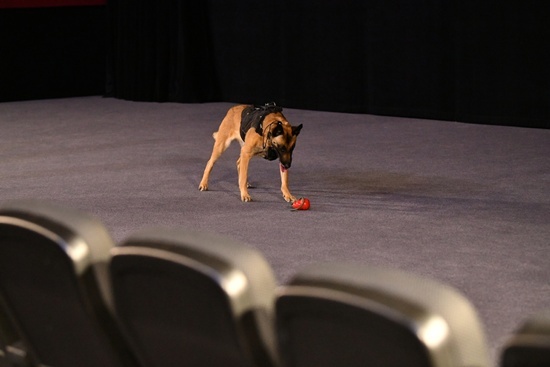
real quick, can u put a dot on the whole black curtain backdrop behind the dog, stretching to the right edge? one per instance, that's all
(461, 60)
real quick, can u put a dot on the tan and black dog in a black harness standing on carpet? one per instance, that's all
(262, 131)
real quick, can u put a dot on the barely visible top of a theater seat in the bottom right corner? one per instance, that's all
(530, 344)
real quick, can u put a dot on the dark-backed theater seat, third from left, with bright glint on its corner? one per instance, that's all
(354, 315)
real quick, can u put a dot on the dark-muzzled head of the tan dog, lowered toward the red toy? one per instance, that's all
(280, 142)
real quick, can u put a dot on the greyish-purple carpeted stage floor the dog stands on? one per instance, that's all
(468, 205)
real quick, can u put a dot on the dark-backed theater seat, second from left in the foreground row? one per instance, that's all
(191, 299)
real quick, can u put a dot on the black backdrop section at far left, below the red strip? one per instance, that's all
(52, 52)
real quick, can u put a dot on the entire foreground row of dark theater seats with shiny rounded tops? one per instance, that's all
(70, 297)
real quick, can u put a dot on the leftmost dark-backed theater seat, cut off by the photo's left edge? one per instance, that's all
(53, 280)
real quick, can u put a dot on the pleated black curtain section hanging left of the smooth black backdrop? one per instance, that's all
(161, 51)
